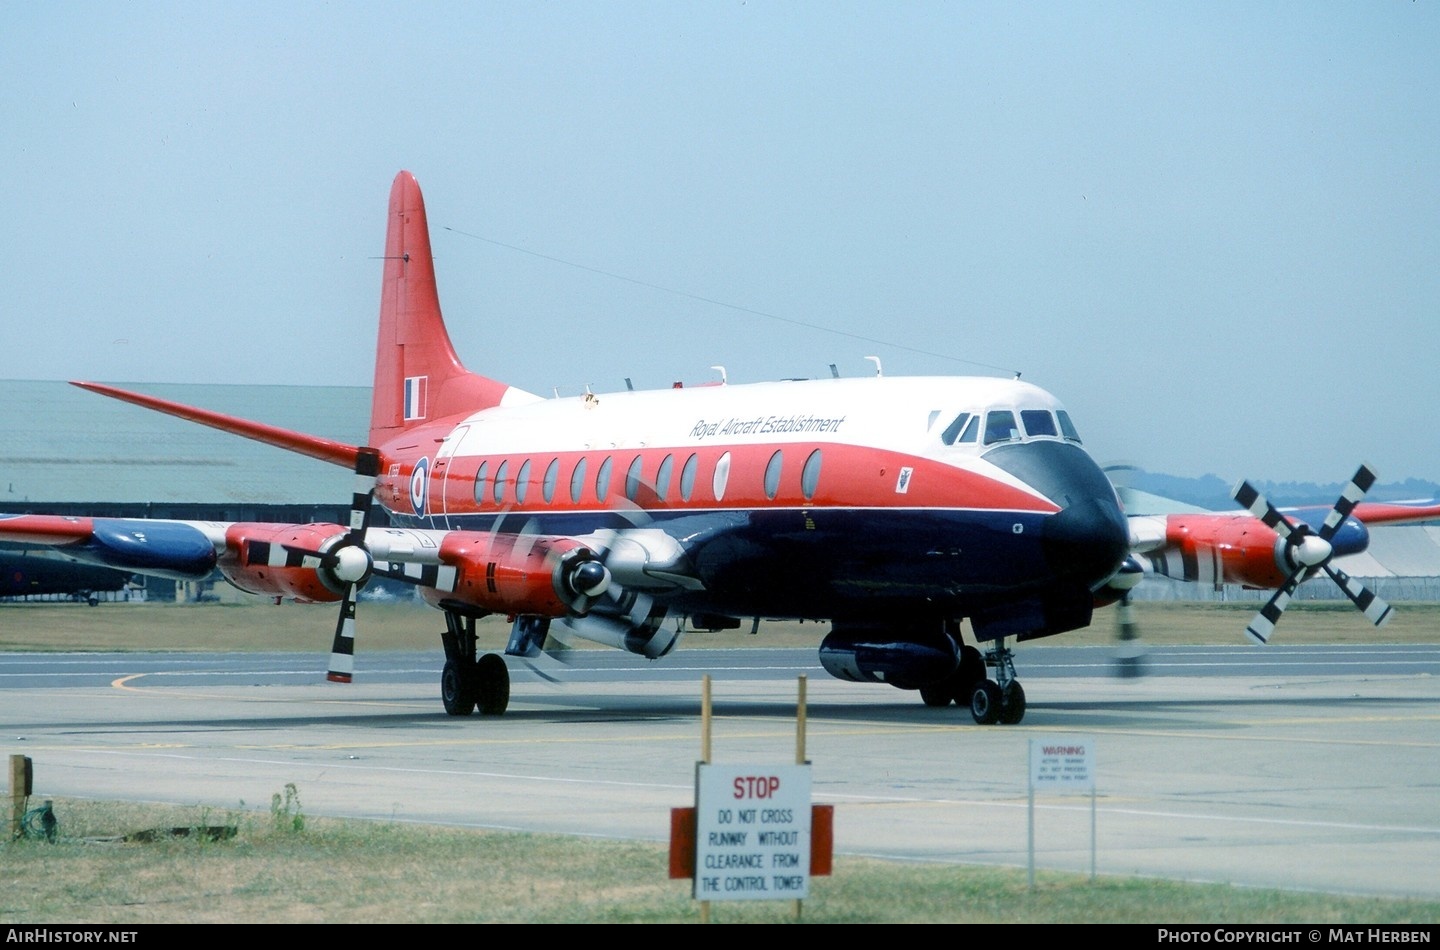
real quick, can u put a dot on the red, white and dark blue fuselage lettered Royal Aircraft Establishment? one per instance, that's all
(768, 487)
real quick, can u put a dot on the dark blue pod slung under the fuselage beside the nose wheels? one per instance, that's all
(881, 656)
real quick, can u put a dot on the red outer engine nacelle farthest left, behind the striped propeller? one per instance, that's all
(269, 559)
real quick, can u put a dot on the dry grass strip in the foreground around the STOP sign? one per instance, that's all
(352, 872)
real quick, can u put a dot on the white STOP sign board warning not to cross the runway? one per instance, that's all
(752, 833)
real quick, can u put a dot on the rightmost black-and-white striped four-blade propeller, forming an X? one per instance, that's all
(1311, 552)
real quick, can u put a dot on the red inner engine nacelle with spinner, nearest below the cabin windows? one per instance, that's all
(523, 575)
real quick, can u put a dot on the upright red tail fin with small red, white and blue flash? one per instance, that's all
(417, 374)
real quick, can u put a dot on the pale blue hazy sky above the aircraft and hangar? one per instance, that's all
(1210, 230)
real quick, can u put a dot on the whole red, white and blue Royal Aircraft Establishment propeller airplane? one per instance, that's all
(891, 507)
